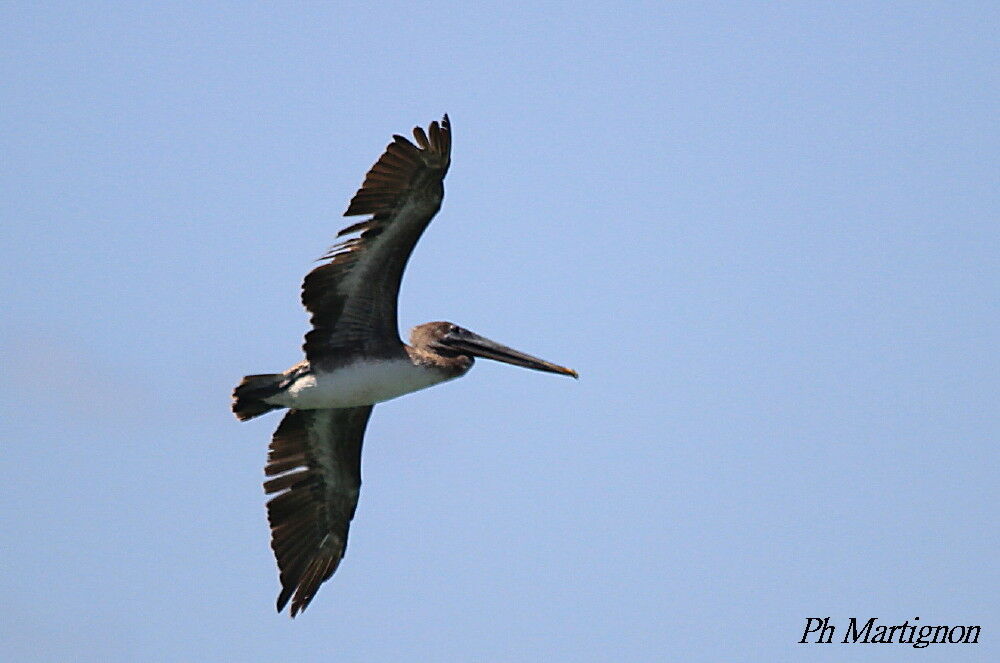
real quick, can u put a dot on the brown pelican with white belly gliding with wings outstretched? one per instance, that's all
(354, 359)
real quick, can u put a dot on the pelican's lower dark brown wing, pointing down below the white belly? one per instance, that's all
(315, 462)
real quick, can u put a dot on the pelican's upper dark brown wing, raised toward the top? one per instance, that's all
(352, 298)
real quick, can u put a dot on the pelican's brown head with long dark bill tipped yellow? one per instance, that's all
(447, 339)
